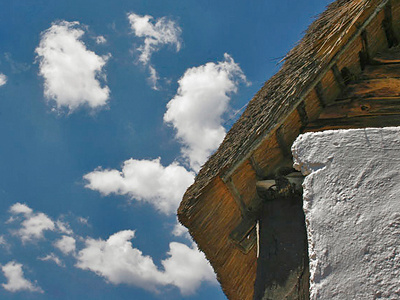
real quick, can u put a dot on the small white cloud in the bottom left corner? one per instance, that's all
(15, 279)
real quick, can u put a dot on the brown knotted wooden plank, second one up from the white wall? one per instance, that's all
(362, 107)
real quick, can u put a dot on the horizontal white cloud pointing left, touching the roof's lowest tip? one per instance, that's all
(144, 180)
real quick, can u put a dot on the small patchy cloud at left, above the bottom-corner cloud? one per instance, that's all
(34, 225)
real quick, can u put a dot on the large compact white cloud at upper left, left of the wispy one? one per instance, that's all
(71, 72)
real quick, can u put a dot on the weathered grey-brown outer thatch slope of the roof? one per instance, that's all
(280, 95)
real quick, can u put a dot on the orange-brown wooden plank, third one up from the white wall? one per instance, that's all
(382, 87)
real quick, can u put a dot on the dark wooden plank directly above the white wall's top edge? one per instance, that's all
(356, 122)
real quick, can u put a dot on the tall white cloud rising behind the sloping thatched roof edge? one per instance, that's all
(197, 109)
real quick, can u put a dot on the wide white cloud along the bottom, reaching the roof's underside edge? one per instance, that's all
(119, 263)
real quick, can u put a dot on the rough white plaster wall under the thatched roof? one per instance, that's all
(352, 207)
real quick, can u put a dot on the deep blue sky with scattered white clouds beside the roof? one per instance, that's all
(107, 111)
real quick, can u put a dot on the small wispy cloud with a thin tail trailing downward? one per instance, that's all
(156, 33)
